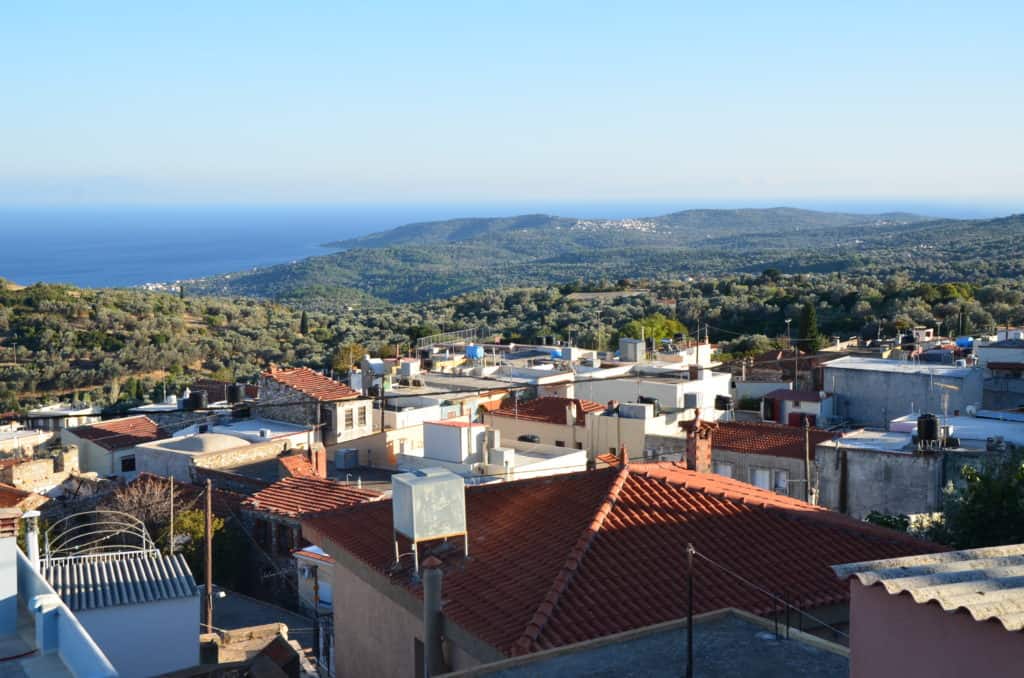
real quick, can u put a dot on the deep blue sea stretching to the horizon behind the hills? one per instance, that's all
(130, 246)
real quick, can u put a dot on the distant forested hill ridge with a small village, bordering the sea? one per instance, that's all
(441, 260)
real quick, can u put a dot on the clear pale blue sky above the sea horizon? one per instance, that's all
(351, 102)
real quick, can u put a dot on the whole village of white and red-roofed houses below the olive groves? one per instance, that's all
(476, 506)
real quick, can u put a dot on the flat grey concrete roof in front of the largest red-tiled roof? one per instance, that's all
(726, 644)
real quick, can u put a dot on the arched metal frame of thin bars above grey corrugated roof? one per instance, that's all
(100, 533)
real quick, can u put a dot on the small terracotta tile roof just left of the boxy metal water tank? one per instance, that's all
(295, 497)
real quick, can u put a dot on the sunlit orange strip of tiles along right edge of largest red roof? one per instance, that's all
(793, 508)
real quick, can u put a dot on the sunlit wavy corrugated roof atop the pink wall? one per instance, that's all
(988, 583)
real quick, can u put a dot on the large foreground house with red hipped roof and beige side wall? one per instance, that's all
(520, 594)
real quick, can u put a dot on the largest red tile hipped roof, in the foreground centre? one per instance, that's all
(567, 559)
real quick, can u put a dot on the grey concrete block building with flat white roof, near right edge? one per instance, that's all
(871, 392)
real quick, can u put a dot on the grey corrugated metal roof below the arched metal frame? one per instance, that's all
(92, 583)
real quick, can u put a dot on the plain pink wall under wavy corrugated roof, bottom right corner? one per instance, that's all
(894, 638)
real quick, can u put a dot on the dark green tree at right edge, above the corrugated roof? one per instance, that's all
(988, 511)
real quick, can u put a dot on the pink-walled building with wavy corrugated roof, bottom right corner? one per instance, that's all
(942, 615)
